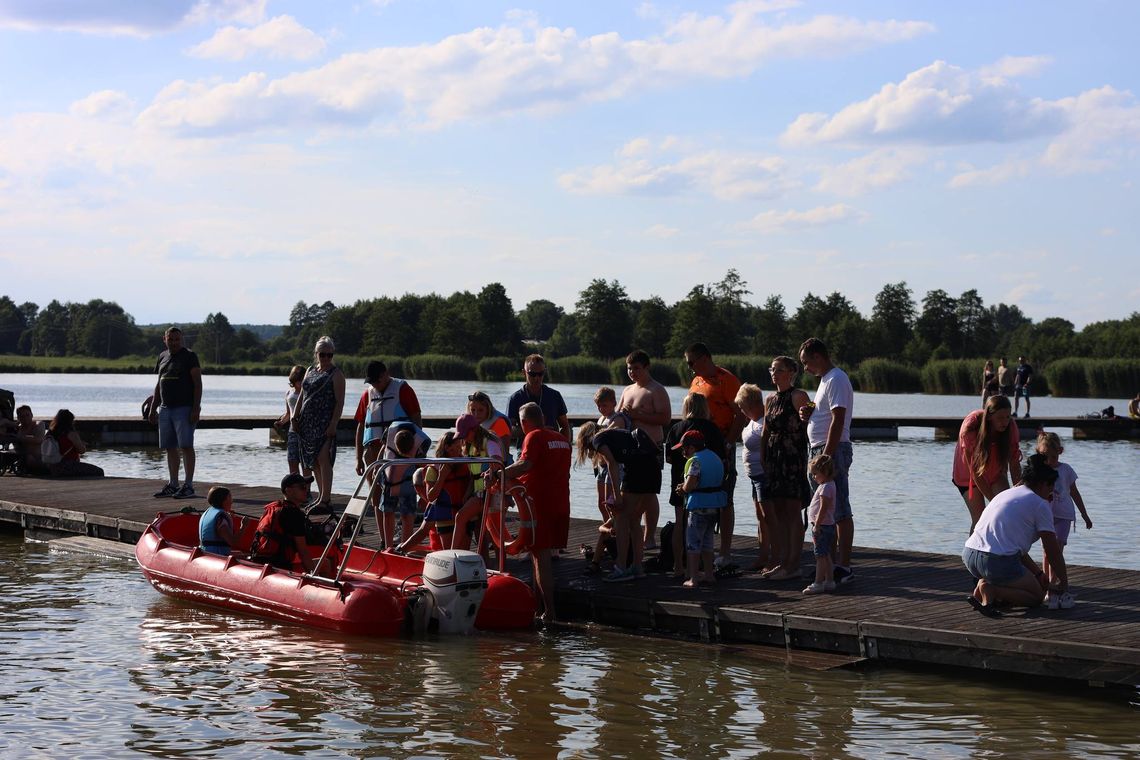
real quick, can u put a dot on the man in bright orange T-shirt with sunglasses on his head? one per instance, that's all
(720, 387)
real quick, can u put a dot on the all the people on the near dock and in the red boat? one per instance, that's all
(795, 451)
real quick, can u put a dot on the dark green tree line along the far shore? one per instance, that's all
(605, 324)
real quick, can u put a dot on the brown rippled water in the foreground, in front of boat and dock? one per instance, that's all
(101, 666)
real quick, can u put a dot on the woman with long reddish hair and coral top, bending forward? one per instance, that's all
(988, 450)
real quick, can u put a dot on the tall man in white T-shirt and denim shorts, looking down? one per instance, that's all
(829, 431)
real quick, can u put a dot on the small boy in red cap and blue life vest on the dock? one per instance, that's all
(705, 499)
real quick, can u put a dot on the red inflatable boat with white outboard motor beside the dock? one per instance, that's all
(371, 594)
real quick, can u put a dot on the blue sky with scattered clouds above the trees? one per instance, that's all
(192, 157)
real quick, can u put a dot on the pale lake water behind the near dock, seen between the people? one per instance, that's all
(901, 491)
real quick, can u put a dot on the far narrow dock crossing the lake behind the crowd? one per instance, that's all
(136, 431)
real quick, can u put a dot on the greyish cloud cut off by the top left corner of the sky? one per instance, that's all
(131, 19)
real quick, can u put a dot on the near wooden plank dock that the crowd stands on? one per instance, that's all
(905, 608)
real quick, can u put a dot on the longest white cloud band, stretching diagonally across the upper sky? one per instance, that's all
(518, 68)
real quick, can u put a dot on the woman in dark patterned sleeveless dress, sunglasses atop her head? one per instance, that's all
(316, 415)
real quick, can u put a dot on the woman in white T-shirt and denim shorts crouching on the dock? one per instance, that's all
(998, 551)
